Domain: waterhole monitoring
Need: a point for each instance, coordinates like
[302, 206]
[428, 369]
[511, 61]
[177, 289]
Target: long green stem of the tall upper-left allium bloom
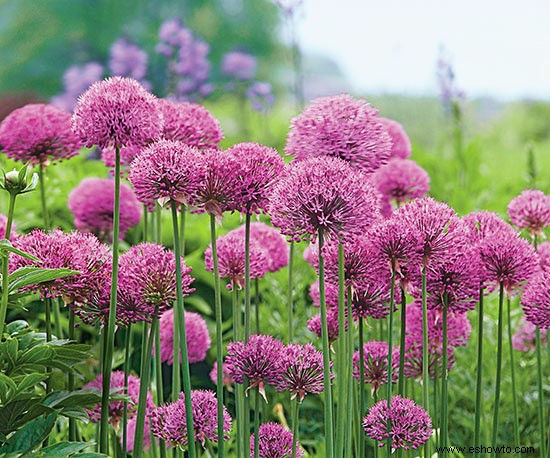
[110, 339]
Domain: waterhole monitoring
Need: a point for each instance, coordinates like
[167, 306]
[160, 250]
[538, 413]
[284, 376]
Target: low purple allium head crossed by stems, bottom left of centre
[168, 421]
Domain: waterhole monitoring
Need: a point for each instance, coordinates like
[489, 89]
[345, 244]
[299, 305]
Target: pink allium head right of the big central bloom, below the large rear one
[401, 180]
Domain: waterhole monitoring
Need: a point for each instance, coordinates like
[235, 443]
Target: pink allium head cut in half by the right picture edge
[536, 300]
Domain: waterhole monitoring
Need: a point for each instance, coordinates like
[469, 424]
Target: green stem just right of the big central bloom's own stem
[341, 366]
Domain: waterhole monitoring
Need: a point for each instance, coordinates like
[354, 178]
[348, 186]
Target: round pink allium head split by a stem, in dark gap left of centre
[197, 337]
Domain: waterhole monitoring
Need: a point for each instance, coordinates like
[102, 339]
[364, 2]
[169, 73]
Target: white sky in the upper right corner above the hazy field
[498, 48]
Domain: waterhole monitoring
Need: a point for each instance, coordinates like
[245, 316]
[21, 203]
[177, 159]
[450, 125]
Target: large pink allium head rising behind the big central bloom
[340, 126]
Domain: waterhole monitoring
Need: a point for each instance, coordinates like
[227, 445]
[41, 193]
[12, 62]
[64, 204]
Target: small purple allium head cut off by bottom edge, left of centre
[275, 441]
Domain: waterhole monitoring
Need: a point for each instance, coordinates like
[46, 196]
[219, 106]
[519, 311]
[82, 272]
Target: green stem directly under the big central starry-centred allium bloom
[328, 414]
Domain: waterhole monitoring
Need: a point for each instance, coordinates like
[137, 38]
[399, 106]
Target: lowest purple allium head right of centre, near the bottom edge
[410, 425]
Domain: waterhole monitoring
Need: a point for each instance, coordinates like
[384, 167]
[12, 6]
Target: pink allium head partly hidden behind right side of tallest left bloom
[190, 123]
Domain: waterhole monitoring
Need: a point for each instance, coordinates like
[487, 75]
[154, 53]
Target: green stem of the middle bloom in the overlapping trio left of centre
[219, 336]
